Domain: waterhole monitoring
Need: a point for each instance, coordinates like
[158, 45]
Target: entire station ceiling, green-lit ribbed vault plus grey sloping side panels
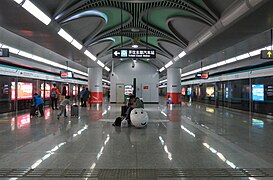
[168, 26]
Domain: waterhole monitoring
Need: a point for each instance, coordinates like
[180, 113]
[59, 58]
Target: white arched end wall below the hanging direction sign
[144, 74]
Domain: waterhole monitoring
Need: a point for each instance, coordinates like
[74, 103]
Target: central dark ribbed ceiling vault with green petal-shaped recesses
[134, 21]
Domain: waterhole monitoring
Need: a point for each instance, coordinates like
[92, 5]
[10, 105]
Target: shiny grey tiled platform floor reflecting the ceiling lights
[188, 141]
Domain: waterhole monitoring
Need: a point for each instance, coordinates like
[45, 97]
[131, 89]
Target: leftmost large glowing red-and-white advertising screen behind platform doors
[25, 90]
